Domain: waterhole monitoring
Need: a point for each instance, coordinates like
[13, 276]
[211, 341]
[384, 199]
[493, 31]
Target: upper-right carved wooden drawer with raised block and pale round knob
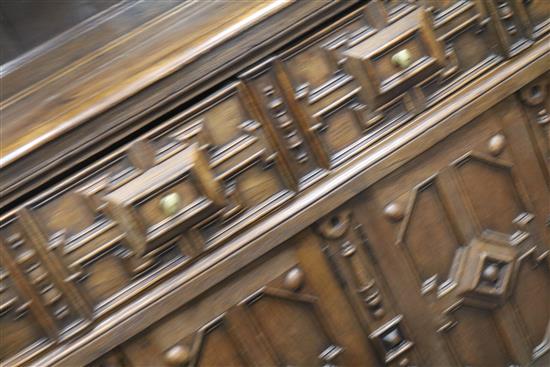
[347, 91]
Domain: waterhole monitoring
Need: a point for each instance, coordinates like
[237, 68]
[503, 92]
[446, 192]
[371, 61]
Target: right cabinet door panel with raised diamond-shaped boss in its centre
[465, 233]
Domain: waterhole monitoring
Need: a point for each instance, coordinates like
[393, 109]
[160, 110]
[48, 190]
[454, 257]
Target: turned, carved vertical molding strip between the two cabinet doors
[369, 294]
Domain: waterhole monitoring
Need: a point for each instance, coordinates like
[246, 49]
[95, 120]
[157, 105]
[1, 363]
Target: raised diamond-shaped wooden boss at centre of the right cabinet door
[487, 271]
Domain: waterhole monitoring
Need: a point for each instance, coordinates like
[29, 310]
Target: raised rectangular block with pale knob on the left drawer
[169, 197]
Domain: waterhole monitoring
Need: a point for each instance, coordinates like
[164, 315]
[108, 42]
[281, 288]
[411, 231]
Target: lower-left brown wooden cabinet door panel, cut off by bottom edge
[286, 309]
